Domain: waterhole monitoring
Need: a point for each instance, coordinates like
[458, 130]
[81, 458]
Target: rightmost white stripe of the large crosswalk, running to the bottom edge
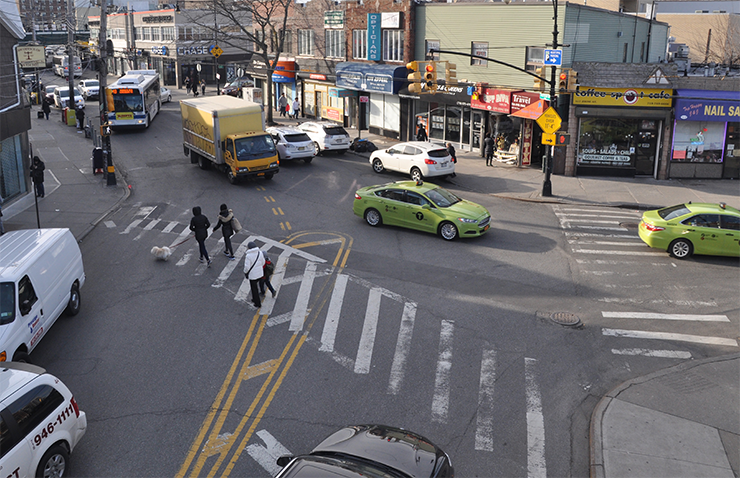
[536, 466]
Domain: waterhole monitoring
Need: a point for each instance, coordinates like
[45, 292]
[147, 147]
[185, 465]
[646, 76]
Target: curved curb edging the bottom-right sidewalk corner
[596, 450]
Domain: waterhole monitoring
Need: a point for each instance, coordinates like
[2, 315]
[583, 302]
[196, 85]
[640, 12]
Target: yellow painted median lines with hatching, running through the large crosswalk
[211, 442]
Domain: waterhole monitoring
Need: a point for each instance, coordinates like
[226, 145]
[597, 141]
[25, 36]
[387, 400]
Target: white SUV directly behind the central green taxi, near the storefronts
[418, 159]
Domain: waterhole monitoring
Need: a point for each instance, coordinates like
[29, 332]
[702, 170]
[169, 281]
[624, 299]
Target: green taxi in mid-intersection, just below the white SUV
[421, 206]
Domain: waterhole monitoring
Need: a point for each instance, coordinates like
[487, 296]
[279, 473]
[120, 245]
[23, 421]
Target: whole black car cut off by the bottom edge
[370, 451]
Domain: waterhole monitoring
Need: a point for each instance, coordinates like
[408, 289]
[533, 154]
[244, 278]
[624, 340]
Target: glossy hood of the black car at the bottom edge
[406, 451]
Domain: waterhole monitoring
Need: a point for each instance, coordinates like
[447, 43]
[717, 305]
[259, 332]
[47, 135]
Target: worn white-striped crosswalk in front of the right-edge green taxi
[605, 245]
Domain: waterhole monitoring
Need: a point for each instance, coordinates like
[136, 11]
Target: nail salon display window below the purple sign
[698, 141]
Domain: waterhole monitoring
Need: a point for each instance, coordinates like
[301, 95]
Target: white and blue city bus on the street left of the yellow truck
[133, 100]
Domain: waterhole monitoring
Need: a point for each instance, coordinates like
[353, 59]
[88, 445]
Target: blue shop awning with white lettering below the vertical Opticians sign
[371, 77]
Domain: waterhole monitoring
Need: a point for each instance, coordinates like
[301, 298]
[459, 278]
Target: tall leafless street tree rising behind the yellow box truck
[252, 26]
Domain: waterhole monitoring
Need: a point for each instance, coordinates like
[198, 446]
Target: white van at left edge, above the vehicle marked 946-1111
[41, 275]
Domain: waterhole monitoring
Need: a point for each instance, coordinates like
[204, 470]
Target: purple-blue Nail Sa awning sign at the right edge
[706, 105]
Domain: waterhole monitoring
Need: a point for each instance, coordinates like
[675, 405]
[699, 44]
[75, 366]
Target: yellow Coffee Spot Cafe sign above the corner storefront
[632, 97]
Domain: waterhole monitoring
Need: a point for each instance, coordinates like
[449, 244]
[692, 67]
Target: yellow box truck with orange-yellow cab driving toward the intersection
[228, 133]
